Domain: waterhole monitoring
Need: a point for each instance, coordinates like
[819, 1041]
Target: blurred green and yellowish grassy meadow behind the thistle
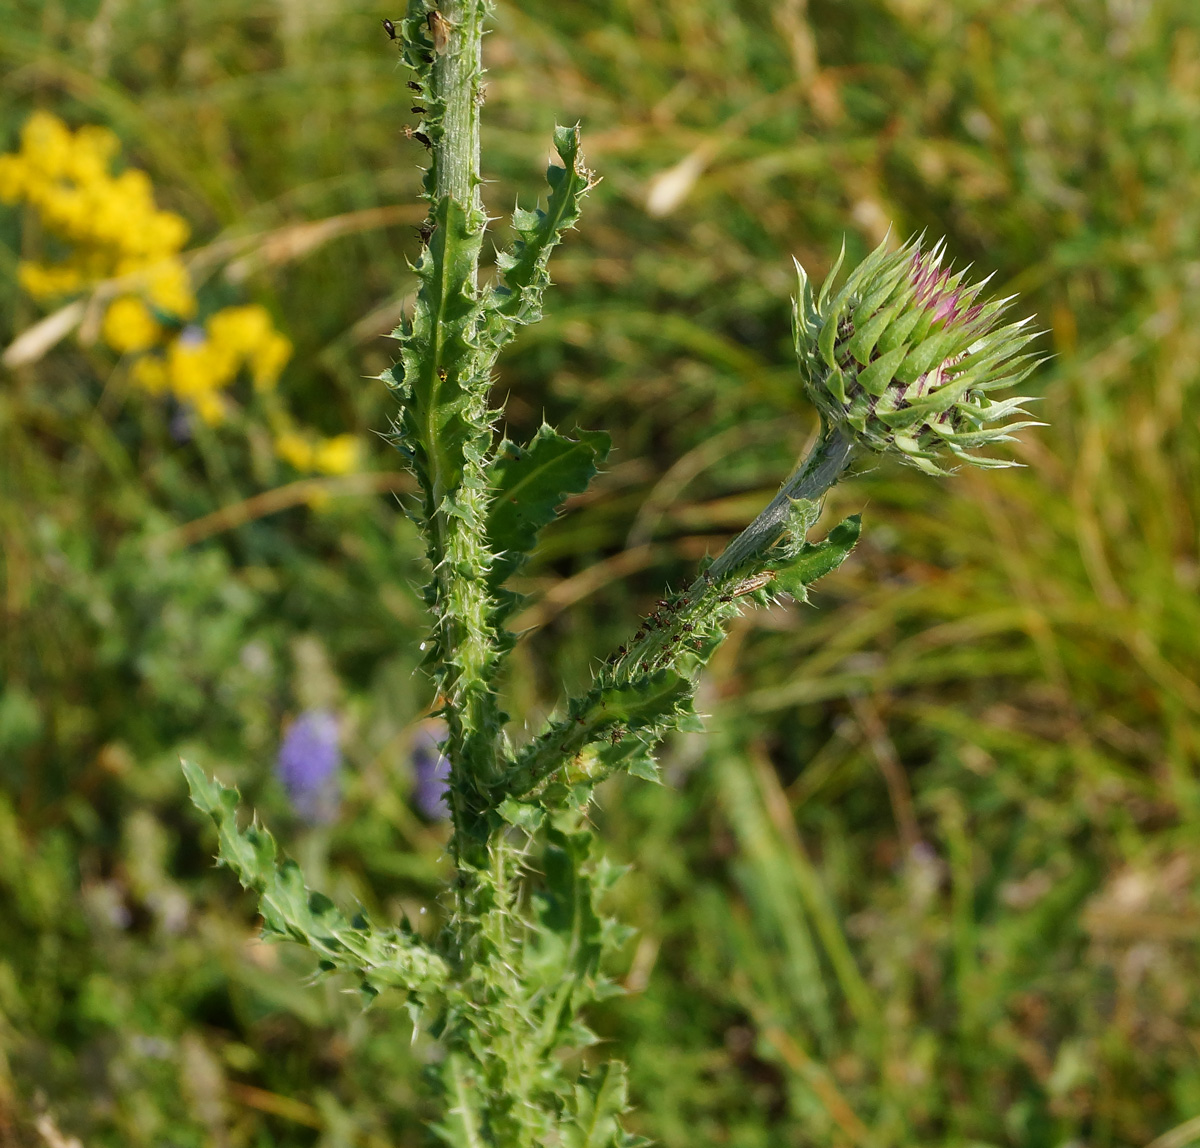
[933, 876]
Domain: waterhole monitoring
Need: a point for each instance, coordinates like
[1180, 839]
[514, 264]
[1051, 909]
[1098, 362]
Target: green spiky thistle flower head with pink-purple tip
[905, 357]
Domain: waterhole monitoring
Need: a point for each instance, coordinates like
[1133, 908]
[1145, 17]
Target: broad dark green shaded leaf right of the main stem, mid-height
[530, 484]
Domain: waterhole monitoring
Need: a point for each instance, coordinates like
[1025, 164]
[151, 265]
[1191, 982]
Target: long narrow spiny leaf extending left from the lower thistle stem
[382, 958]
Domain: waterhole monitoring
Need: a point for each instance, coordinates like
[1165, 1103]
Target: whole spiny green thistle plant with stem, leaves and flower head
[901, 359]
